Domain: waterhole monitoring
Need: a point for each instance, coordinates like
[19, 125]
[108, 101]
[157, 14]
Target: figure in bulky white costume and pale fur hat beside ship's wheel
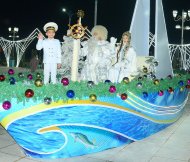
[98, 54]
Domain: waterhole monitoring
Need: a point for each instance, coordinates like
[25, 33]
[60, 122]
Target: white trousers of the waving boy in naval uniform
[50, 72]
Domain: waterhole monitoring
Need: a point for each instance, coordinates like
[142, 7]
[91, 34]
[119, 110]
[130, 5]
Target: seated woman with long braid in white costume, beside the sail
[125, 64]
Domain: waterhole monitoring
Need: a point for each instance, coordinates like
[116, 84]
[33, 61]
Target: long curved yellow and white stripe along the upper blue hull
[42, 107]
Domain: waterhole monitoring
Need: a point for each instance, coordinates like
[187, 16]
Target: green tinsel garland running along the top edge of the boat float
[81, 89]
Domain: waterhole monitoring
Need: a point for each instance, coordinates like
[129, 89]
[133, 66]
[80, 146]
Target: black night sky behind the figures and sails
[116, 15]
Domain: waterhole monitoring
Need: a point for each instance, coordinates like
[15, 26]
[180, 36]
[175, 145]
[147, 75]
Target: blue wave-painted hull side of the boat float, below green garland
[78, 127]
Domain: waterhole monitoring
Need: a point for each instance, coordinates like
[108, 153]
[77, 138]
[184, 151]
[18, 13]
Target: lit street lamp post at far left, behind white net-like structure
[13, 34]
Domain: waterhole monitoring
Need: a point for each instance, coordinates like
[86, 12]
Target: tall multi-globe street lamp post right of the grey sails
[185, 16]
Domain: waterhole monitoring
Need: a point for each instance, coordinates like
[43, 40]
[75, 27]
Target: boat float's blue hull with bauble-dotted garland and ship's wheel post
[73, 118]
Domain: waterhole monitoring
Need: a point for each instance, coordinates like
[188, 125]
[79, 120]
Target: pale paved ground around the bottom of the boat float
[170, 145]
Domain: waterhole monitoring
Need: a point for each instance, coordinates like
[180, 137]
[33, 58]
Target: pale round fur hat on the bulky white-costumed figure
[101, 32]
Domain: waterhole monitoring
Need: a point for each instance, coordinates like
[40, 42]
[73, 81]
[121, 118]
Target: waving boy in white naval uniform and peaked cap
[51, 52]
